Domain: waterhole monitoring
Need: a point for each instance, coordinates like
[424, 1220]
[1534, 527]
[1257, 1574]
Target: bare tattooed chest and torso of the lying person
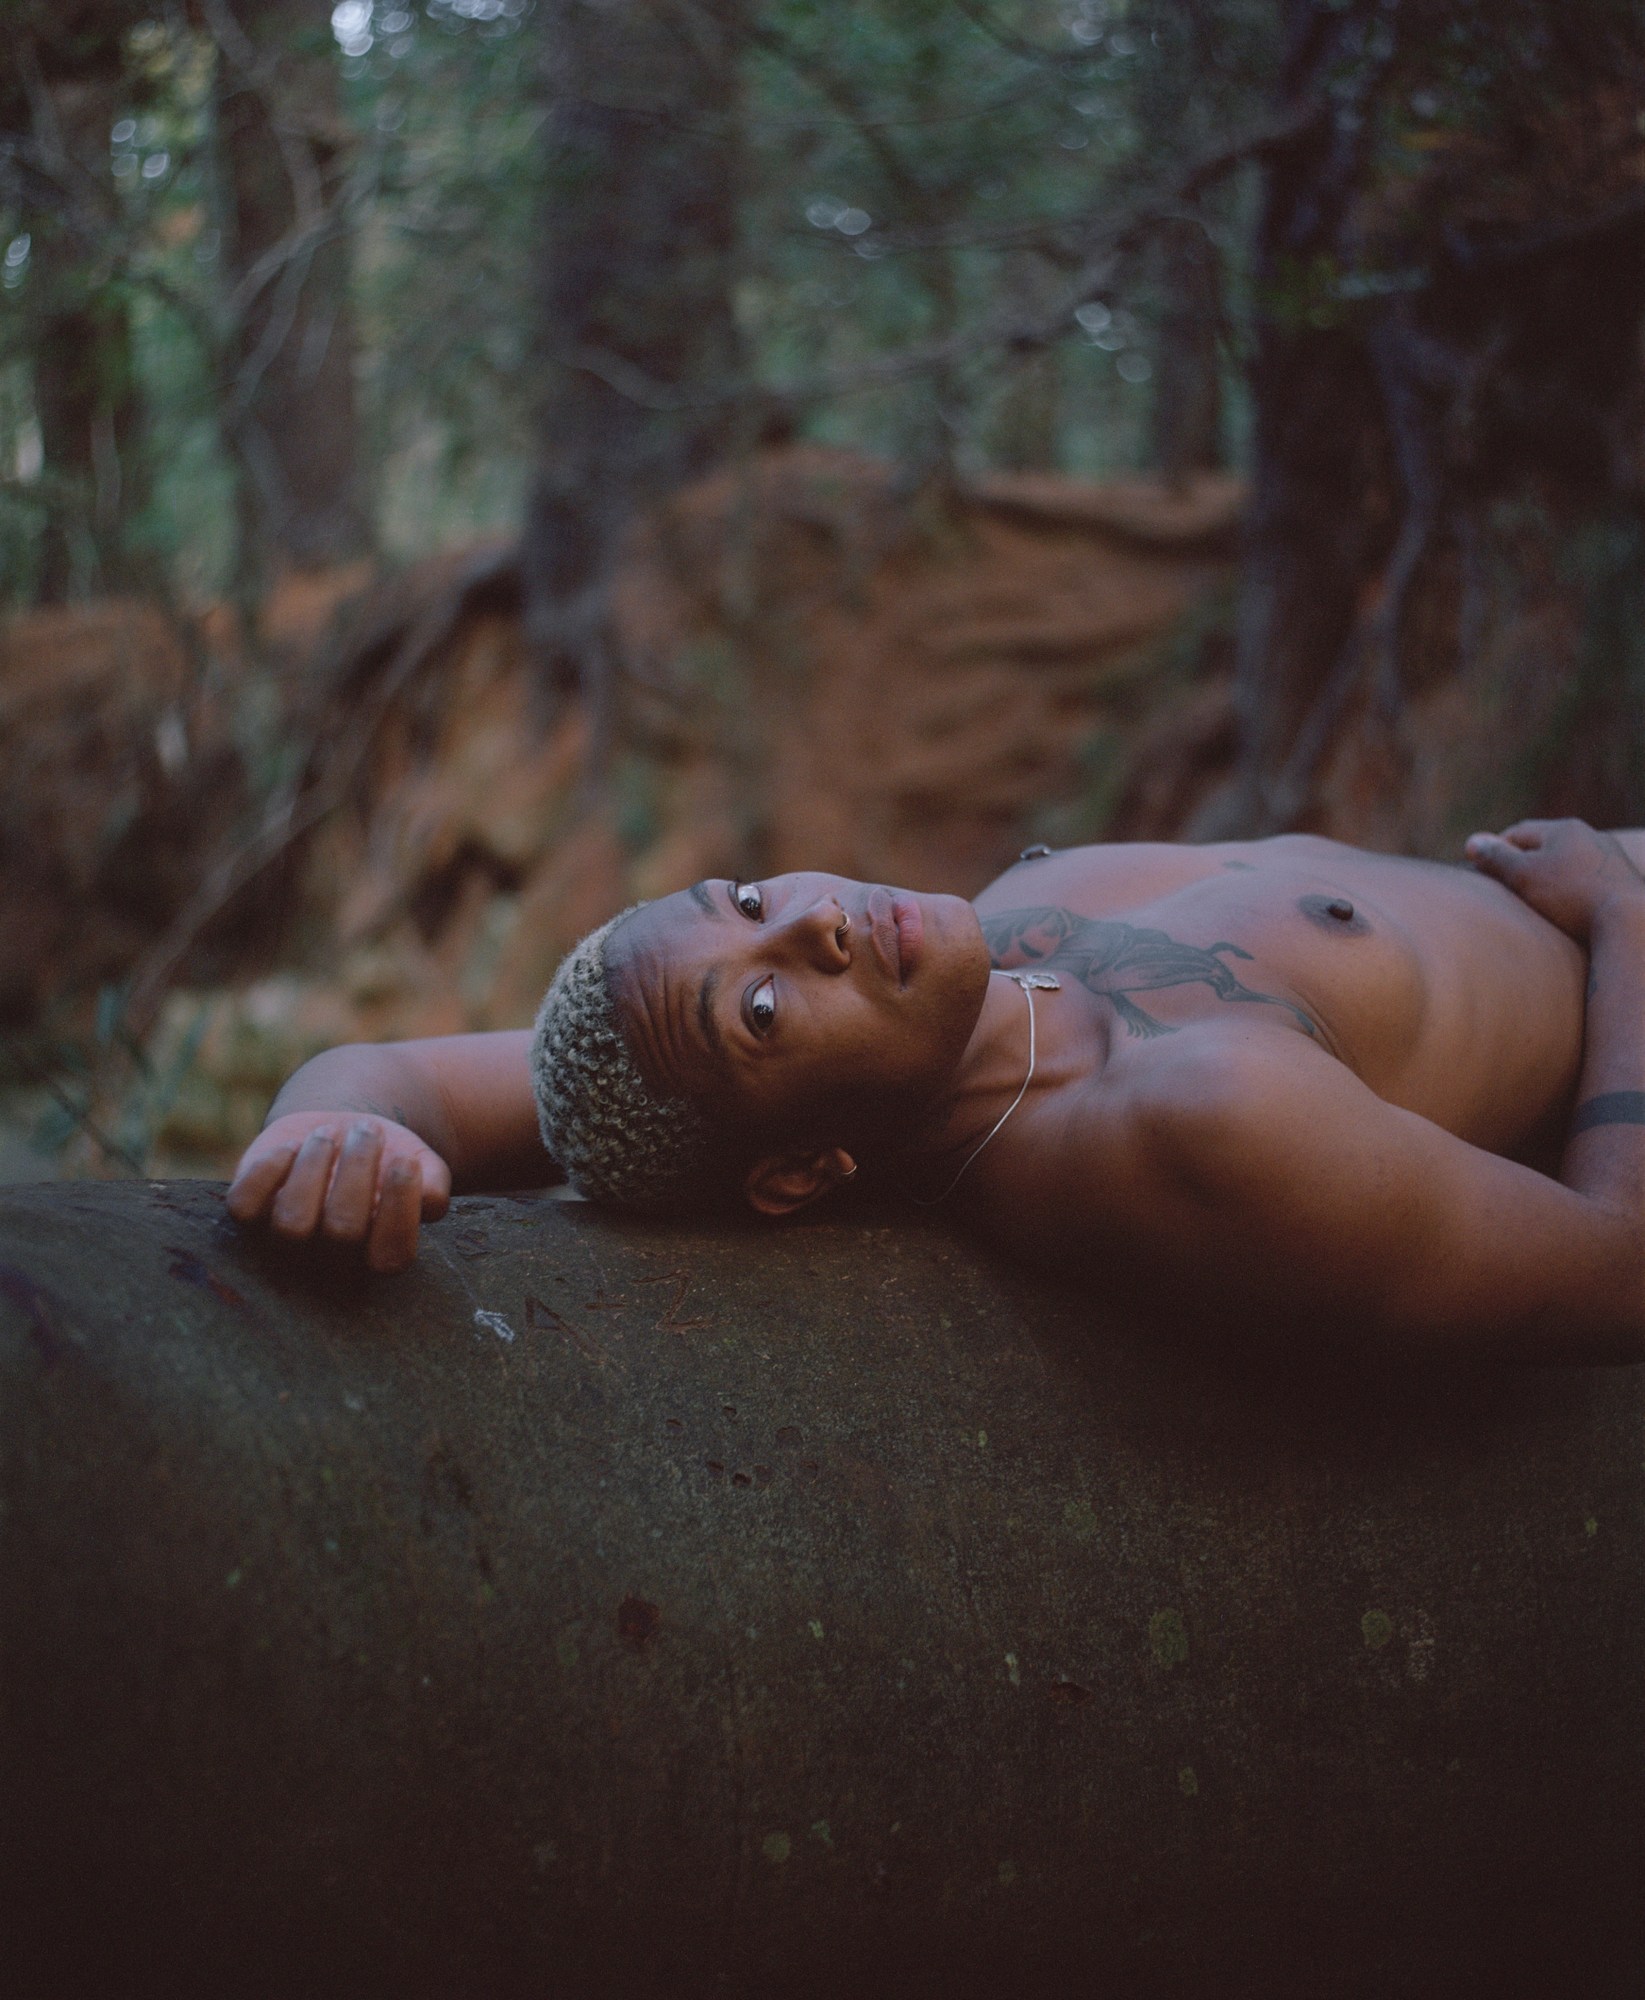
[1422, 979]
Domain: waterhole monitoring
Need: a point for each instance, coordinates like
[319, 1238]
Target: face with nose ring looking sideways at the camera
[803, 1001]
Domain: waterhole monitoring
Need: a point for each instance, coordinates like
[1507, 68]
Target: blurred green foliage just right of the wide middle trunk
[918, 169]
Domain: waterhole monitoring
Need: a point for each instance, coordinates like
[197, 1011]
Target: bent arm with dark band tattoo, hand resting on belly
[1258, 1173]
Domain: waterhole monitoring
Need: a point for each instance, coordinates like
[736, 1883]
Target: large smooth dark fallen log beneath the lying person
[649, 1611]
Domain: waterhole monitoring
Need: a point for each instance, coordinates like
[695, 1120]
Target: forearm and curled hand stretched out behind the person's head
[365, 1143]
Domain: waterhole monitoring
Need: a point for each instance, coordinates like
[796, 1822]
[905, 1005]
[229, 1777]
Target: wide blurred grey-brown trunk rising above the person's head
[637, 297]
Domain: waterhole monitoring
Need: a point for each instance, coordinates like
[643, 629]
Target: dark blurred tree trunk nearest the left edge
[65, 93]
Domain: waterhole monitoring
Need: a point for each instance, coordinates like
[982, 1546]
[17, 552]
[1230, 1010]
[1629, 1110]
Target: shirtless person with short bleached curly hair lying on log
[1286, 1077]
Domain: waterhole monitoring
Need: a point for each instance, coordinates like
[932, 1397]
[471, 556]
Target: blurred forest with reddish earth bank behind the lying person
[469, 463]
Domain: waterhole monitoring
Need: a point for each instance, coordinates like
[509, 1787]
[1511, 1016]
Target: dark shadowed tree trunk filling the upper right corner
[1450, 281]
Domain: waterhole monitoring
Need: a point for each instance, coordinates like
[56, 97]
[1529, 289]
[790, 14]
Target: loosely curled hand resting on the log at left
[349, 1177]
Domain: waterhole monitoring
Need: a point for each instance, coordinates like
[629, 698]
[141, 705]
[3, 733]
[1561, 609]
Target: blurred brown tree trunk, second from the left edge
[285, 151]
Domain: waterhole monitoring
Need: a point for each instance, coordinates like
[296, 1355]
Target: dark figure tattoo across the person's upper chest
[1120, 961]
